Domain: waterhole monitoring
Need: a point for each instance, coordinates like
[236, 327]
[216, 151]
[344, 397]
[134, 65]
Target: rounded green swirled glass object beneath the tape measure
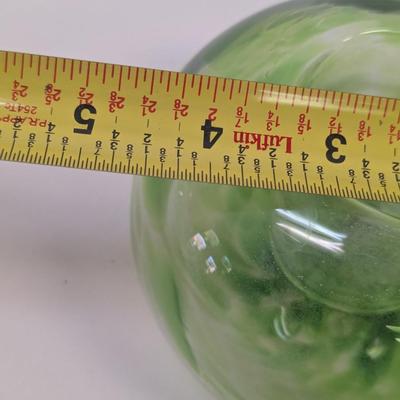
[272, 295]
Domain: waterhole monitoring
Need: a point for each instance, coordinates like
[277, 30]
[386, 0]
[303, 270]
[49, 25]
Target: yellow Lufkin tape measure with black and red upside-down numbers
[115, 118]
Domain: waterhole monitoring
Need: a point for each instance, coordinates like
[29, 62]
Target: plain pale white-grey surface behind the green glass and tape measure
[74, 322]
